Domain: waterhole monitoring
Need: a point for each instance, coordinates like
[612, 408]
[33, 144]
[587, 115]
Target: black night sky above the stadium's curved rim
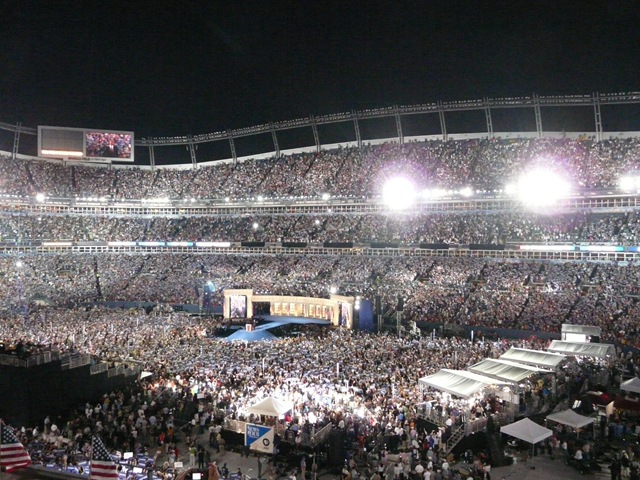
[167, 68]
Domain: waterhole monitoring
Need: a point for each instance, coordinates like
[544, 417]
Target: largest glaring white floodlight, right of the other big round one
[542, 187]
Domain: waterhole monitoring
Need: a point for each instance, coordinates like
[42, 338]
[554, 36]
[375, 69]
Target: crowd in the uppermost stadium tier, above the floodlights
[479, 164]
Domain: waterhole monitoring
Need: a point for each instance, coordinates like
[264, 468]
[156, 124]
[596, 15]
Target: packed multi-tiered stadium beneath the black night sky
[453, 246]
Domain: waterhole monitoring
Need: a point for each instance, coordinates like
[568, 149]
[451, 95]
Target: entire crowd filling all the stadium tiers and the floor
[45, 296]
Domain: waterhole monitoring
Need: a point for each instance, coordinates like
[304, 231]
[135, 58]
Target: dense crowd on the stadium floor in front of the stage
[363, 384]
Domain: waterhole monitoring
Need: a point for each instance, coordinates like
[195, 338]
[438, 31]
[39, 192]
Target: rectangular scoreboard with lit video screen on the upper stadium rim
[85, 144]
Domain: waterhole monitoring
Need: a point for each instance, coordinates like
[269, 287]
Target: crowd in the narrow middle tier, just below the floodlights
[452, 228]
